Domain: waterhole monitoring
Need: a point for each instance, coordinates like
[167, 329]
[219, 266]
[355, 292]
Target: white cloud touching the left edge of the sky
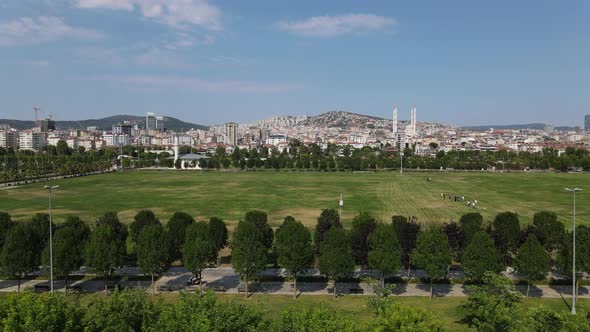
[34, 30]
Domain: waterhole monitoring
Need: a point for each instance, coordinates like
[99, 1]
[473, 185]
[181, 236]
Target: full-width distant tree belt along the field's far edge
[62, 160]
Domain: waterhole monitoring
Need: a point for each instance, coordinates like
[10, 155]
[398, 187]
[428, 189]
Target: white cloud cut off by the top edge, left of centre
[175, 13]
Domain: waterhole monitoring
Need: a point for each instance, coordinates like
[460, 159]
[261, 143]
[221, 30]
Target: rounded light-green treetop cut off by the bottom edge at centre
[317, 319]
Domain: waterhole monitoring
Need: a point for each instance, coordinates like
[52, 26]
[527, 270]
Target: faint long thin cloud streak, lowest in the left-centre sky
[198, 85]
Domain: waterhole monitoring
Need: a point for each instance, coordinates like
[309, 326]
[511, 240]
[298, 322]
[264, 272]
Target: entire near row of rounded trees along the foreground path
[387, 248]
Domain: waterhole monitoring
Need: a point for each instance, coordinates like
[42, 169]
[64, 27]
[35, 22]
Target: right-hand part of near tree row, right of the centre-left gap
[478, 248]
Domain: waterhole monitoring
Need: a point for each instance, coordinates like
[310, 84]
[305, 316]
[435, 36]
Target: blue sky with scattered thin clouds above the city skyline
[460, 62]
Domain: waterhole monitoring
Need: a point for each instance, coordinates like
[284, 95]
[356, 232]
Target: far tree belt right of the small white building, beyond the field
[347, 158]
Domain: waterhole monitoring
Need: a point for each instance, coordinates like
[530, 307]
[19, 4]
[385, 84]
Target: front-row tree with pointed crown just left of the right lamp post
[532, 261]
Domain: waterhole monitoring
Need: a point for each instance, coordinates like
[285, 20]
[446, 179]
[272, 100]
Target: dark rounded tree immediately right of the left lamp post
[68, 253]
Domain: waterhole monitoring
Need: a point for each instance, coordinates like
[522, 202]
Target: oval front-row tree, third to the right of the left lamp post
[152, 254]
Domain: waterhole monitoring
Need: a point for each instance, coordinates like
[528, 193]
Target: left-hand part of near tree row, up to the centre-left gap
[104, 247]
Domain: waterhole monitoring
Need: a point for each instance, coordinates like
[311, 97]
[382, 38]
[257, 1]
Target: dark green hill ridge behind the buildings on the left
[108, 122]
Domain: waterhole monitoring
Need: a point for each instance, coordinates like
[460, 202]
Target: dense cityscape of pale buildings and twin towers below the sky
[338, 128]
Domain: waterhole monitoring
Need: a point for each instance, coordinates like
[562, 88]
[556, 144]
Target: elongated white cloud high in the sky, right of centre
[328, 26]
